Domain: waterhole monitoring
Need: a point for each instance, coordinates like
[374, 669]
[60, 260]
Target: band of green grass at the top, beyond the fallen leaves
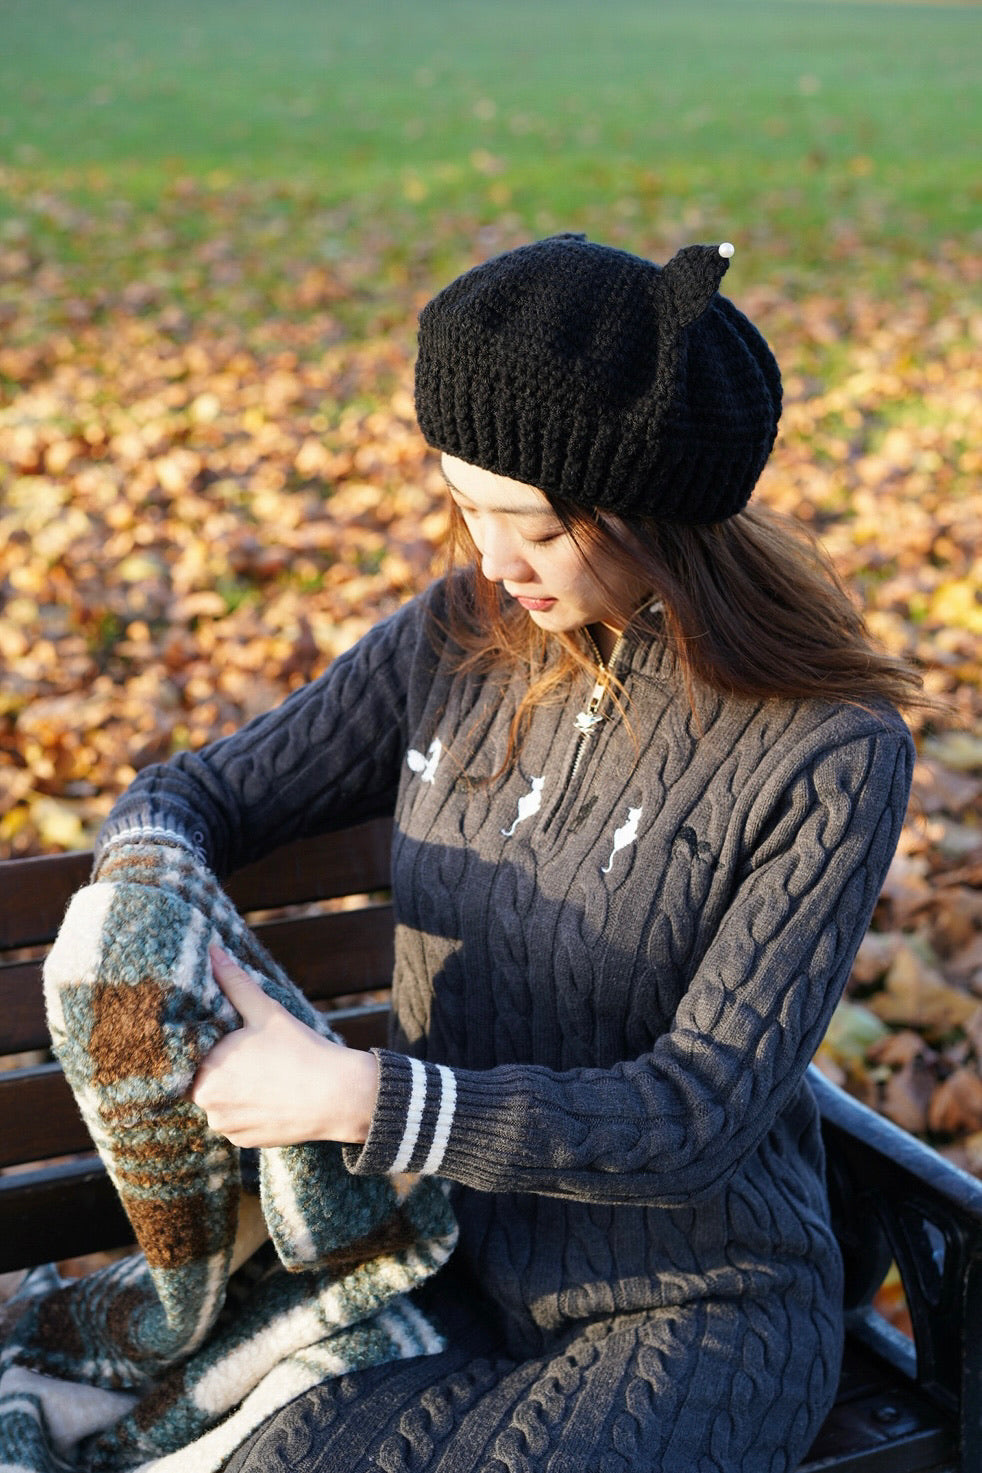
[802, 129]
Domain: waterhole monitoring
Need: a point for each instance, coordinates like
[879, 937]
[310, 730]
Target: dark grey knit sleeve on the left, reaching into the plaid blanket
[329, 756]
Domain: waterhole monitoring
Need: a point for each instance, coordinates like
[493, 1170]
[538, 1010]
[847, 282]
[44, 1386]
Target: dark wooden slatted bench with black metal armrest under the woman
[903, 1407]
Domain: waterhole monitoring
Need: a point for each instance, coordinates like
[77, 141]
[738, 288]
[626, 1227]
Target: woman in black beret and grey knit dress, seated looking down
[647, 777]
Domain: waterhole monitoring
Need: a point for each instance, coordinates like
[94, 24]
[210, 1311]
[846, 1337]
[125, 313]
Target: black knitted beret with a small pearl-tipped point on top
[603, 379]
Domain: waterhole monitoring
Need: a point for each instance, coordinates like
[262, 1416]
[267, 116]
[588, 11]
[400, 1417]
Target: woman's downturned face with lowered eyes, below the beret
[525, 547]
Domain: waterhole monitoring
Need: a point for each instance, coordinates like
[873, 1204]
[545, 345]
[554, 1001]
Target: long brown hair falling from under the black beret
[750, 608]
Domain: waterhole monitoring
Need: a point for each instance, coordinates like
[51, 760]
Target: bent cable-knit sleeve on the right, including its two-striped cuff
[677, 1123]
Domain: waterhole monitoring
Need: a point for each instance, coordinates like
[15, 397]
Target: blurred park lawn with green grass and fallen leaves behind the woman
[219, 222]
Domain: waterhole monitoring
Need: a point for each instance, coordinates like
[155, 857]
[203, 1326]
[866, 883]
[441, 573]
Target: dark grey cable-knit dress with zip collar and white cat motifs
[613, 967]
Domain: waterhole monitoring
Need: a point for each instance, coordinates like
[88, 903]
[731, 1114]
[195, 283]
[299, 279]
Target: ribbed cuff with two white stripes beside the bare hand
[413, 1120]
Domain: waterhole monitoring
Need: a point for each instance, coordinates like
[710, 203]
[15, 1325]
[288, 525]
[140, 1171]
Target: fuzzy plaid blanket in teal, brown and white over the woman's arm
[170, 1357]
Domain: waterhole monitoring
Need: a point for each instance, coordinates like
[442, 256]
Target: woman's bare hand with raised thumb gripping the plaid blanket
[278, 1083]
